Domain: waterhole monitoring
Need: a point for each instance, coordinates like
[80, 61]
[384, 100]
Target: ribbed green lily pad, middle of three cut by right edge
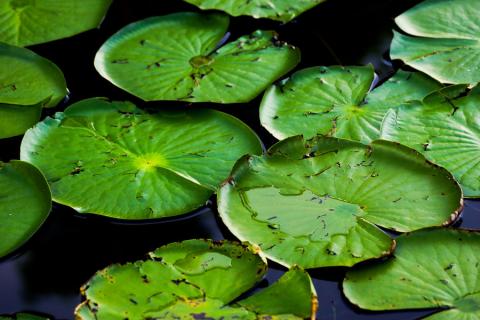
[444, 127]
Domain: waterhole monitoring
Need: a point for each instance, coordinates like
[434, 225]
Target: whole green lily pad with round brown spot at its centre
[175, 57]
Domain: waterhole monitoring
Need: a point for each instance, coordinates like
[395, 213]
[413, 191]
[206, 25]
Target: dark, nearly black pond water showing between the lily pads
[45, 275]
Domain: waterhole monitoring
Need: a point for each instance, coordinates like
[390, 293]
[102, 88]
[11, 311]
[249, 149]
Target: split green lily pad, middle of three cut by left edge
[28, 82]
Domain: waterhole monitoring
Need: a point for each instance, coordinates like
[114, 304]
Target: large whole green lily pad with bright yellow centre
[113, 159]
